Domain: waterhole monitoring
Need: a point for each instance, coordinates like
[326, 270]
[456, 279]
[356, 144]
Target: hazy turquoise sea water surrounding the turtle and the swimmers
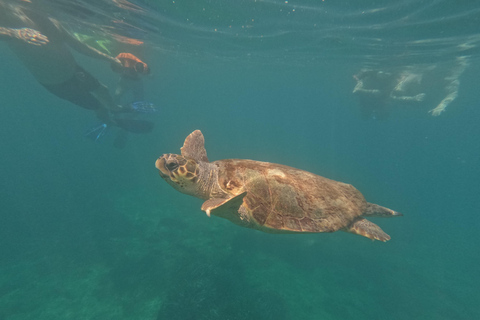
[89, 231]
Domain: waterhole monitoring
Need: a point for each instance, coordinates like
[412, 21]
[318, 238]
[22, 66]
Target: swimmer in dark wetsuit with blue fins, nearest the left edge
[40, 43]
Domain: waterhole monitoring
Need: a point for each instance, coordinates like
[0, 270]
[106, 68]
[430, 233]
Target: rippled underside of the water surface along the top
[367, 31]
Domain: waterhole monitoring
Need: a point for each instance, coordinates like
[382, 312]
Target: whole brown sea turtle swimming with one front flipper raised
[269, 197]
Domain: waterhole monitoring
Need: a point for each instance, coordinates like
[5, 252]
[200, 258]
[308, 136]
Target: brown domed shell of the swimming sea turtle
[284, 199]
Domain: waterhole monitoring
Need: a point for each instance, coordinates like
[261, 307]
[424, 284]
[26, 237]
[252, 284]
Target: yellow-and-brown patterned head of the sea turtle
[180, 172]
